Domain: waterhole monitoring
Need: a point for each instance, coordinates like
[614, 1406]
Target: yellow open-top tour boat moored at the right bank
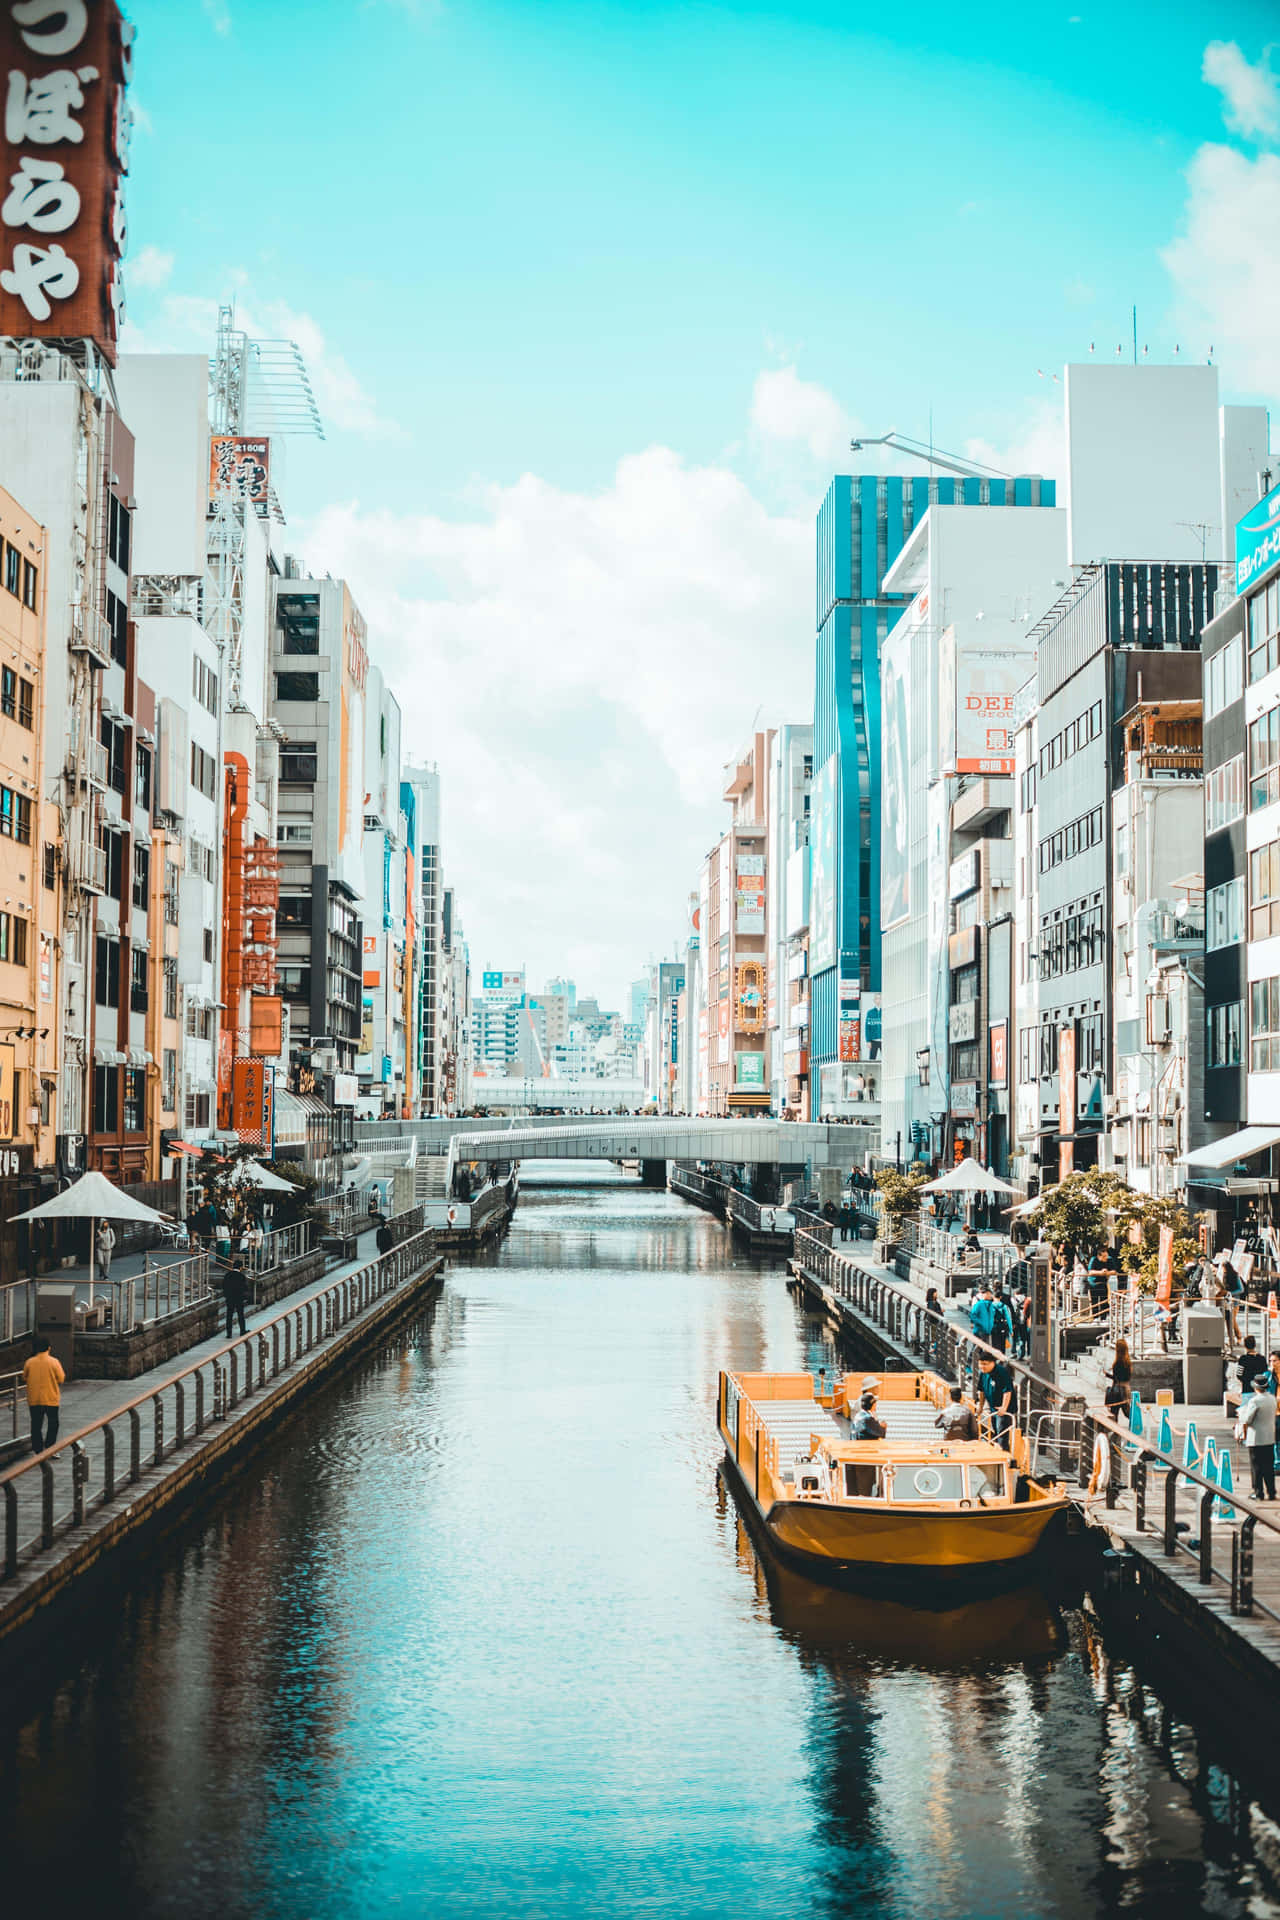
[909, 1508]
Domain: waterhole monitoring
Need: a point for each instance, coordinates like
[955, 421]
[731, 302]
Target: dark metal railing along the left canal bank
[112, 1454]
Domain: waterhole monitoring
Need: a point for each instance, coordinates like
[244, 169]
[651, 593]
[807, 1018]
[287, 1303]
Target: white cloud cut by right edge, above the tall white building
[1227, 270]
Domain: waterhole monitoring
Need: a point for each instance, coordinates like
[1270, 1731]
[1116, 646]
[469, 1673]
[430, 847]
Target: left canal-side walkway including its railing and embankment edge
[154, 1439]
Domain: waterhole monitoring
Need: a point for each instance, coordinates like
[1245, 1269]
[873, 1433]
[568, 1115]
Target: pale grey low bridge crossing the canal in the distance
[738, 1141]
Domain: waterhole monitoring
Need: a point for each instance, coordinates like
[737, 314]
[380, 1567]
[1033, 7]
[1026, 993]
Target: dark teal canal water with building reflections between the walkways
[483, 1635]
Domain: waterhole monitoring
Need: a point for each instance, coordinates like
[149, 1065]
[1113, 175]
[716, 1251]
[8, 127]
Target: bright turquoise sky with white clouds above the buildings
[525, 247]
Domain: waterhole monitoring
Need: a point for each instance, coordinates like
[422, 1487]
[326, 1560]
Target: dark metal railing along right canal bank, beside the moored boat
[1074, 1426]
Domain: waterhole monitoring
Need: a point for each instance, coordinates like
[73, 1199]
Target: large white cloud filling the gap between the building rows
[582, 665]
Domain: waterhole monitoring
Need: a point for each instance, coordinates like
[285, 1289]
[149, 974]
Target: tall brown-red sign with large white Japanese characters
[66, 151]
